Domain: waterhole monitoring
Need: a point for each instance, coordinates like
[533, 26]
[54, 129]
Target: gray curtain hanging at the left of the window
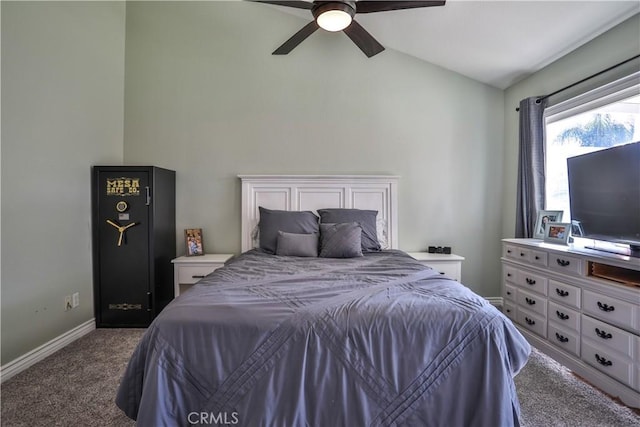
[531, 191]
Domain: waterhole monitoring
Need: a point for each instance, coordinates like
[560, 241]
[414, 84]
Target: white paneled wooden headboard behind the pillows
[312, 192]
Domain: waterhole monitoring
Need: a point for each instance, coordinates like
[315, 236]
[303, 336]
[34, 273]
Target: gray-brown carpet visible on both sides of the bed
[76, 387]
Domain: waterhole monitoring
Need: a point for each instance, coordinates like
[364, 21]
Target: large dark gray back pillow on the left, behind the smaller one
[272, 221]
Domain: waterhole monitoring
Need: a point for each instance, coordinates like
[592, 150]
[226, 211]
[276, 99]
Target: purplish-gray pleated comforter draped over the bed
[286, 341]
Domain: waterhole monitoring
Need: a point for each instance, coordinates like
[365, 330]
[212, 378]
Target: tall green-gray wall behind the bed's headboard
[205, 97]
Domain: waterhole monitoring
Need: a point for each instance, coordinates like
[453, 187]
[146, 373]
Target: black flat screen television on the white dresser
[604, 193]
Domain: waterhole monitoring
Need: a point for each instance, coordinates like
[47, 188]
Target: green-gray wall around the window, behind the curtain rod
[617, 45]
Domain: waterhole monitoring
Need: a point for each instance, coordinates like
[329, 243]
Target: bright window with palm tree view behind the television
[602, 118]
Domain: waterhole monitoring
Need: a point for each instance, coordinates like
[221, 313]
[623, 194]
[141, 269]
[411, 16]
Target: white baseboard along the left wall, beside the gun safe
[36, 355]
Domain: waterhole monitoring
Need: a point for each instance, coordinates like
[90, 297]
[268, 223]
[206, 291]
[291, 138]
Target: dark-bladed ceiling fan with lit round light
[337, 15]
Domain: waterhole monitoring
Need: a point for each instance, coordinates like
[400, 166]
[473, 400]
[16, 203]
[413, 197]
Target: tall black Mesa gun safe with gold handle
[134, 241]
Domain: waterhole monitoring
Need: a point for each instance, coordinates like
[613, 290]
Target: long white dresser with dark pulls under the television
[579, 306]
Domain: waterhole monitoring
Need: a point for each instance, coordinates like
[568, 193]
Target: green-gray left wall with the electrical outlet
[62, 111]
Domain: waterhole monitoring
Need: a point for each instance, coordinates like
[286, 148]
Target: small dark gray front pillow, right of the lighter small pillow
[340, 240]
